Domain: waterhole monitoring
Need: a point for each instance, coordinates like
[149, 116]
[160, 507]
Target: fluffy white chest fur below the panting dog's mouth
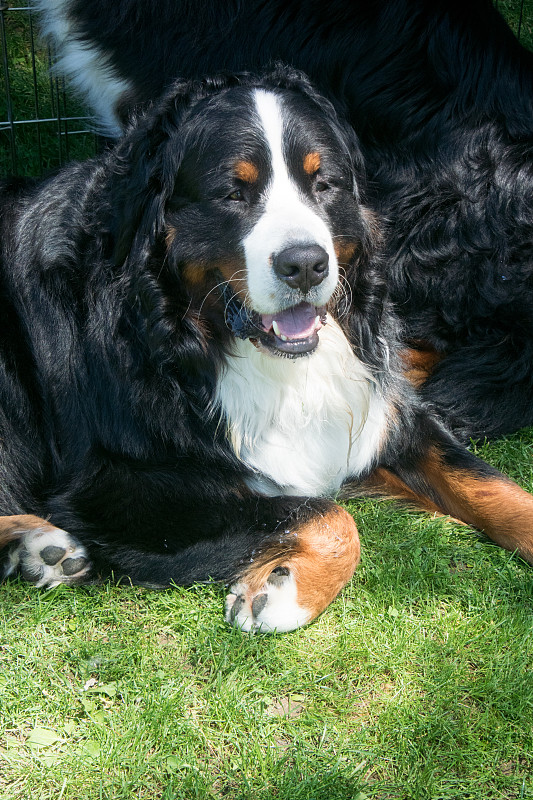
[302, 425]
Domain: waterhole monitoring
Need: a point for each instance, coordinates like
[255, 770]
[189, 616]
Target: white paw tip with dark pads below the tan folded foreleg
[274, 607]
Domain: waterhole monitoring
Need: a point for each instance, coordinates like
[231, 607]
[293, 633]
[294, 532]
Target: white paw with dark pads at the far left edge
[49, 556]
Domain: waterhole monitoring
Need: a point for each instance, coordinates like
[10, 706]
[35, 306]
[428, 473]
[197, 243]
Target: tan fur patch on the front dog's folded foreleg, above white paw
[322, 555]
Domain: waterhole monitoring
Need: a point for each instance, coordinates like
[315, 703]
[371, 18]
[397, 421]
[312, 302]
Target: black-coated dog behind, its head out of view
[440, 94]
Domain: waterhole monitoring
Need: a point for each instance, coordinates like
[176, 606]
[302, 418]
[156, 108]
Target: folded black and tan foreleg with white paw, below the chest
[284, 558]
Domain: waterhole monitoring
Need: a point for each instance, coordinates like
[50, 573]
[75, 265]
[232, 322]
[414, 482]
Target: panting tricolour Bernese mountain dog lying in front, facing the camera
[198, 354]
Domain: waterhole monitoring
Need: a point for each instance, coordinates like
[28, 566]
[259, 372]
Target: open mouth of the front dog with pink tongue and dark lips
[292, 332]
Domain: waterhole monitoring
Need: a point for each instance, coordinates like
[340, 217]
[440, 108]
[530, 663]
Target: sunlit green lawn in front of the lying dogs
[415, 684]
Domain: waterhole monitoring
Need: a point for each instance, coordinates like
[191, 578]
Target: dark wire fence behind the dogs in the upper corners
[42, 125]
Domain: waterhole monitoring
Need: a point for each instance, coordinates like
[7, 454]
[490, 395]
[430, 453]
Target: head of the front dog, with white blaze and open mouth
[252, 186]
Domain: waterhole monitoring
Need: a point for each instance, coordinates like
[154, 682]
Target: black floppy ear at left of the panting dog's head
[145, 164]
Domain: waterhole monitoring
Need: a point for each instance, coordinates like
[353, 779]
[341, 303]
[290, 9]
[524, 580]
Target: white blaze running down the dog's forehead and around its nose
[287, 219]
